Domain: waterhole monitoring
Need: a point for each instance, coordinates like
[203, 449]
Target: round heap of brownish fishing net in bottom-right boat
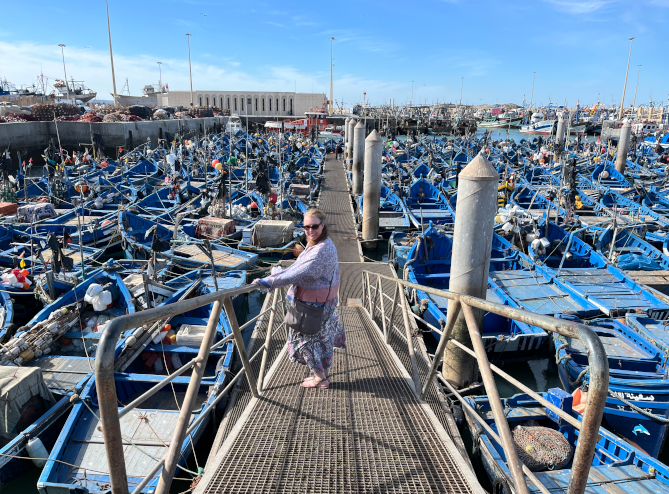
[541, 448]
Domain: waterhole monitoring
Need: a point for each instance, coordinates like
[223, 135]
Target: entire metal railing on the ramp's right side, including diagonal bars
[375, 303]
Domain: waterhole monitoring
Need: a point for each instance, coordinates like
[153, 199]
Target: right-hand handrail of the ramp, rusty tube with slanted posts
[599, 370]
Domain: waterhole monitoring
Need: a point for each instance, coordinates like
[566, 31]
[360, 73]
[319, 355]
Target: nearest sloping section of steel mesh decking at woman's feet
[367, 433]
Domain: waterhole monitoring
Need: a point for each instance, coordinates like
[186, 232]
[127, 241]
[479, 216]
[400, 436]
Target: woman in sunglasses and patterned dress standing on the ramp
[314, 279]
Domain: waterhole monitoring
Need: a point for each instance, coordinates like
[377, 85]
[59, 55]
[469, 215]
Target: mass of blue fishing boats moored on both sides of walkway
[91, 239]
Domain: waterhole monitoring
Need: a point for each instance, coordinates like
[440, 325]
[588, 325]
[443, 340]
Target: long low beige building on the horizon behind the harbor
[248, 102]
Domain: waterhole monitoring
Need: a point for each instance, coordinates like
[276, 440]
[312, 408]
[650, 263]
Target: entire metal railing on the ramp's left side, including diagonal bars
[106, 388]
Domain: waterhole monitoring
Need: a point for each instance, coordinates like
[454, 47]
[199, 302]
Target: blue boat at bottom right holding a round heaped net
[617, 466]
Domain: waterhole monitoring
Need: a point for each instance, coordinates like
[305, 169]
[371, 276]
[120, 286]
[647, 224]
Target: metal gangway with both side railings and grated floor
[380, 427]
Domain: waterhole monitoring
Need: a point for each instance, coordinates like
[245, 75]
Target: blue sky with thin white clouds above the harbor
[578, 49]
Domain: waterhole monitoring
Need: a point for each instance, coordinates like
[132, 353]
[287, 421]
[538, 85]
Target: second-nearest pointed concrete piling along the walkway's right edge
[372, 190]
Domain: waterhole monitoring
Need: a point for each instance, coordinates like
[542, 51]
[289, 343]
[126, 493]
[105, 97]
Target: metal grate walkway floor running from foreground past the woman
[367, 433]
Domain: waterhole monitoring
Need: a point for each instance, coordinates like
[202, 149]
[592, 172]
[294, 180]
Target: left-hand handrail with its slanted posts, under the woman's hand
[106, 386]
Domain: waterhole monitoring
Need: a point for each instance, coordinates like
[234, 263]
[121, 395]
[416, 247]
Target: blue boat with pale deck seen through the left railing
[79, 452]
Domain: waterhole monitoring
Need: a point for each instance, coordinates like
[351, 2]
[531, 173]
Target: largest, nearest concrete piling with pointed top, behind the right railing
[470, 259]
